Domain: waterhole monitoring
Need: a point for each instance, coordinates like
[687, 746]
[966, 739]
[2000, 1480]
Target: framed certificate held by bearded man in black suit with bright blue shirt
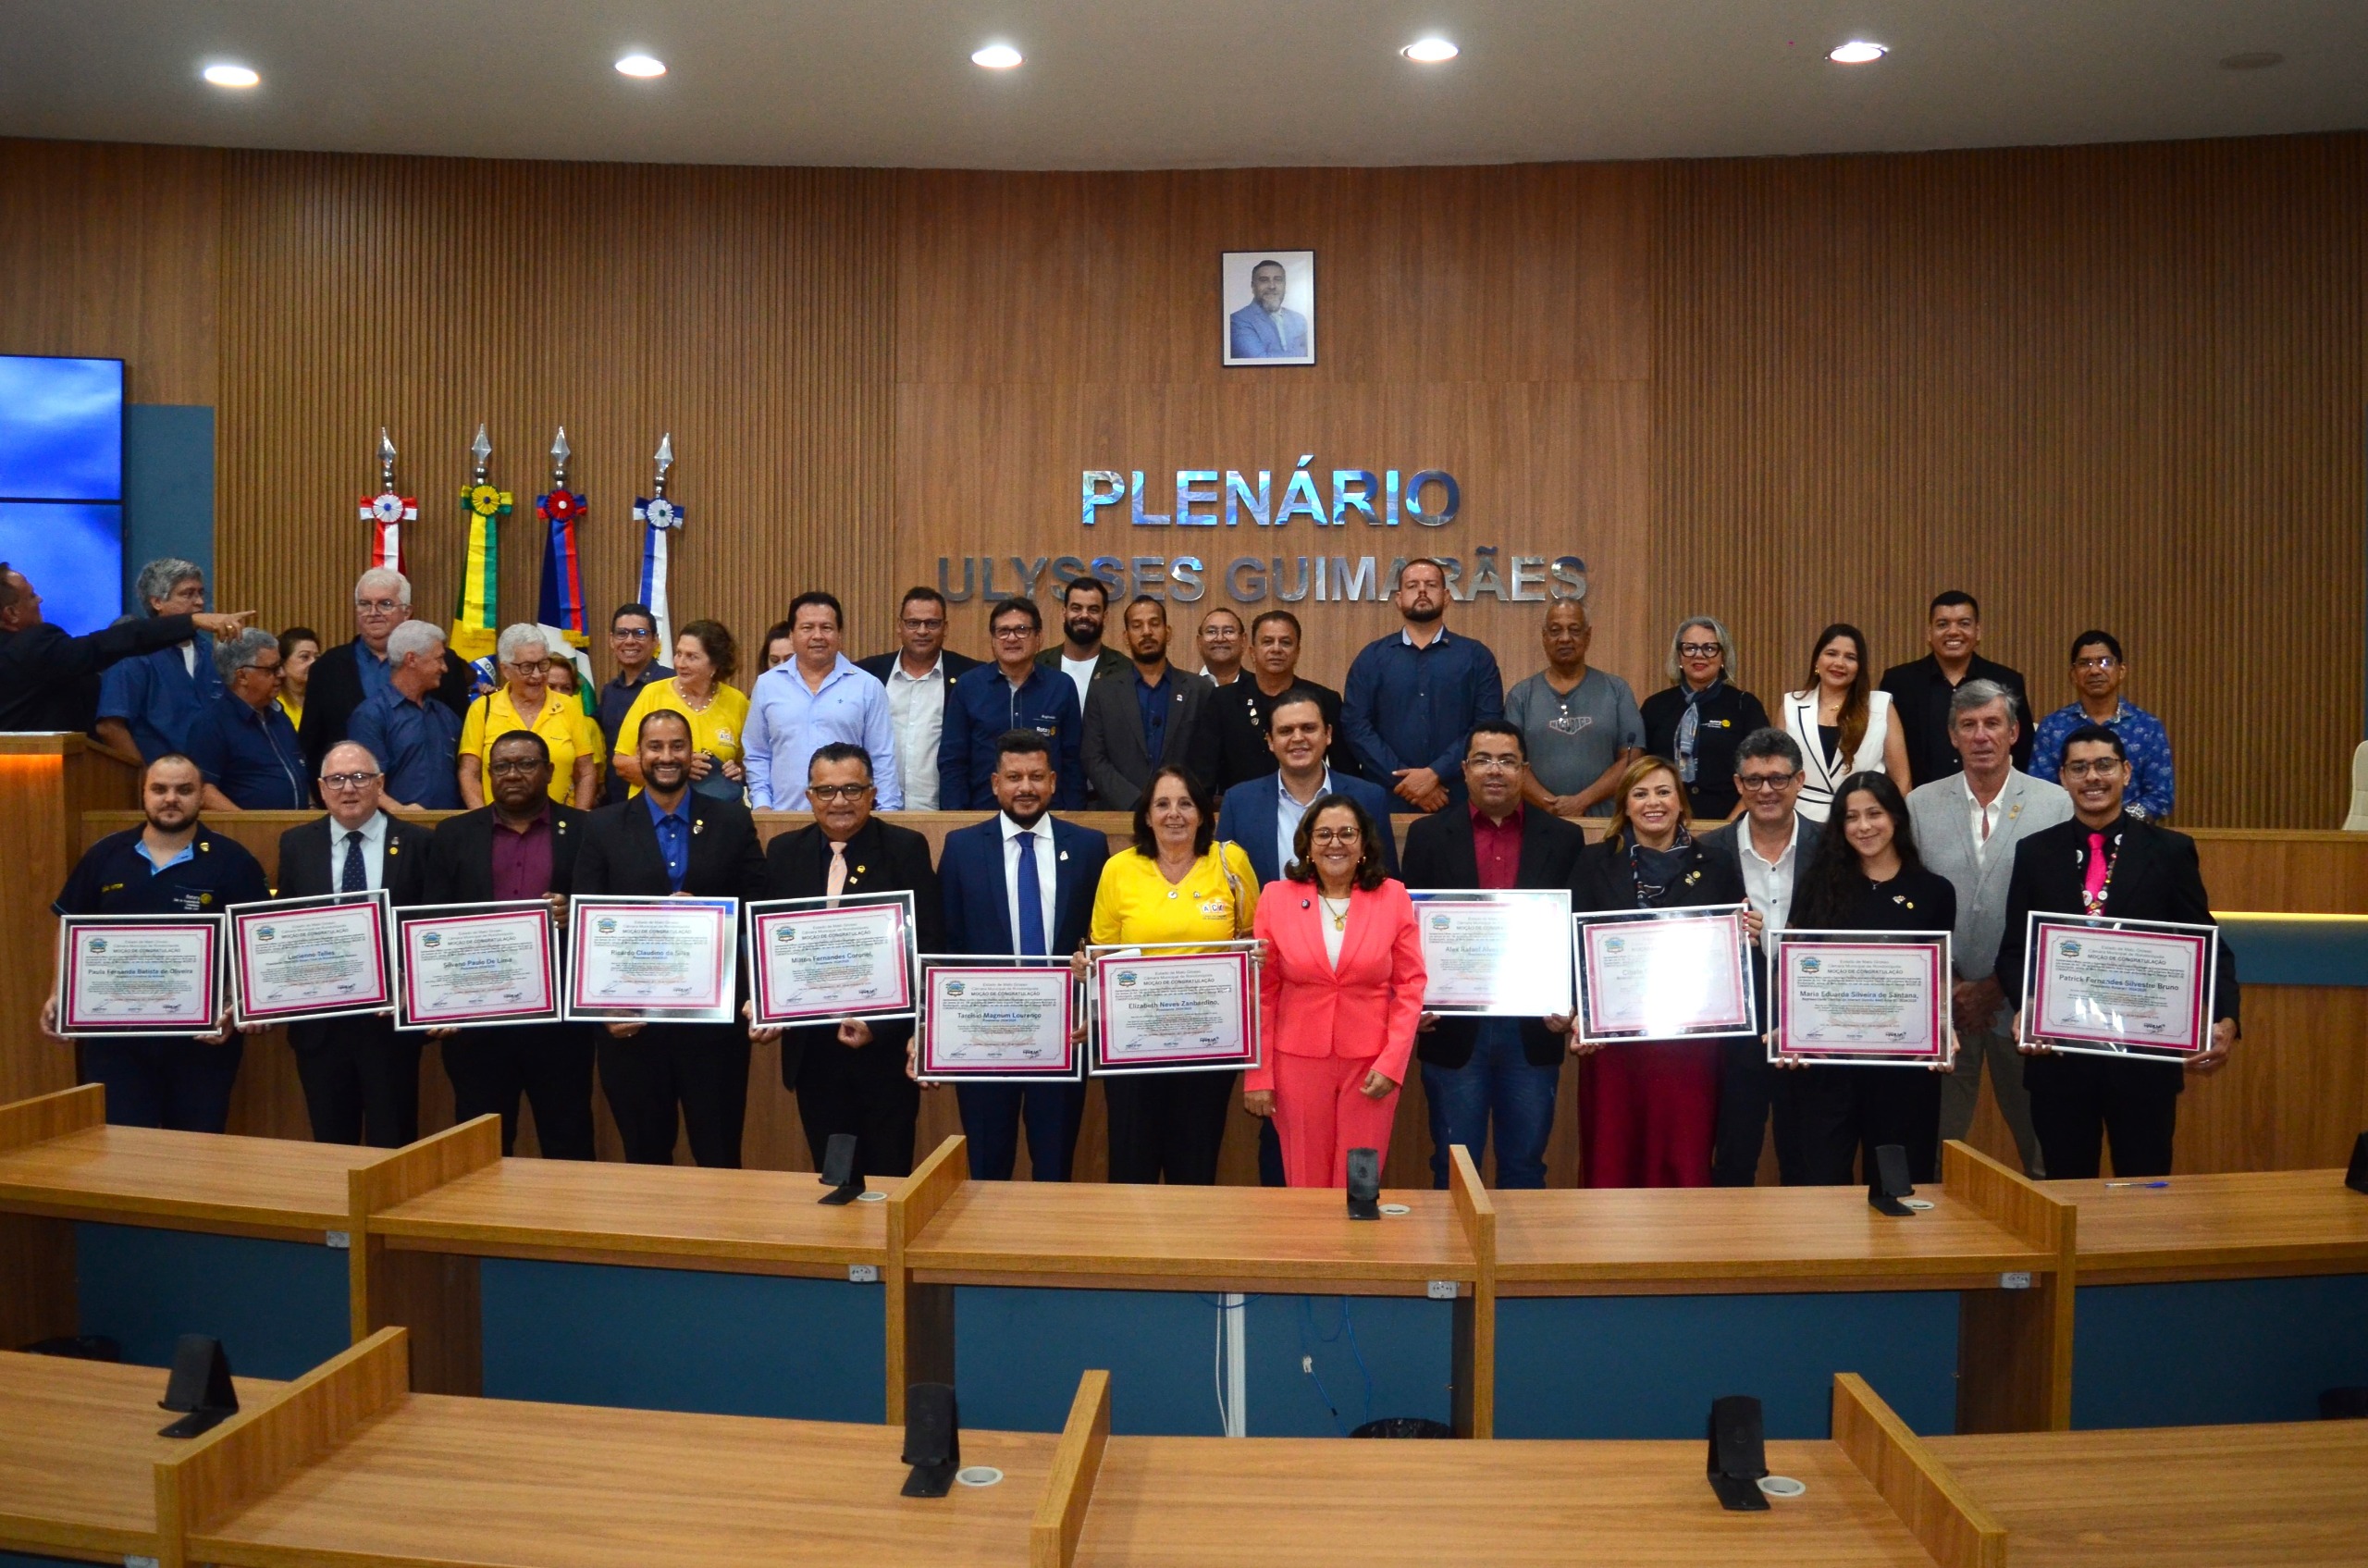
[659, 960]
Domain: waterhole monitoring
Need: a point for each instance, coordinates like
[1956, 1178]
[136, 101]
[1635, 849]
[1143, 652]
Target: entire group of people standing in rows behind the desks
[1261, 814]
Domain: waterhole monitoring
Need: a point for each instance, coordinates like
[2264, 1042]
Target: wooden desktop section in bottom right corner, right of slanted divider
[2291, 1496]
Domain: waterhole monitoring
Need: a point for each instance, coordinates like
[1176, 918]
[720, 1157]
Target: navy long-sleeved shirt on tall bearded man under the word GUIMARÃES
[1410, 707]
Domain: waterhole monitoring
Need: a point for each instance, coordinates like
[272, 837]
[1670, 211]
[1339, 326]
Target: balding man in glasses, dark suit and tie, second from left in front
[361, 1079]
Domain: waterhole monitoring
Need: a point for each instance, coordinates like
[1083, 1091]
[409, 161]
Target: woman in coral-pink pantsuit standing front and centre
[1339, 996]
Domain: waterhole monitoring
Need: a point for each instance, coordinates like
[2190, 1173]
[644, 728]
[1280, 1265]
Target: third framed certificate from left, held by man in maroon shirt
[477, 965]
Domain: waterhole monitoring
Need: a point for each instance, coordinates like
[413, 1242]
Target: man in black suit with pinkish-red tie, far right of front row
[2109, 863]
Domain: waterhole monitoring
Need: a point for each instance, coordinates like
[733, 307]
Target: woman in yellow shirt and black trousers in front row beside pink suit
[1173, 887]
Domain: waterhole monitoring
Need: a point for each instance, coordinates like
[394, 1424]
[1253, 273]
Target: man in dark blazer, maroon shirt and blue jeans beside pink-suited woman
[1481, 1069]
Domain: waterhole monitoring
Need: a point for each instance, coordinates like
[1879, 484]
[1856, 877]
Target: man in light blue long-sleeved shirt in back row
[802, 707]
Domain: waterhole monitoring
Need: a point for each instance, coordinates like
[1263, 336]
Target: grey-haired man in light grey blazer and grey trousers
[1967, 830]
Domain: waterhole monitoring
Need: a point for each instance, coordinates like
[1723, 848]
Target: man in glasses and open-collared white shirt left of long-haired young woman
[1770, 844]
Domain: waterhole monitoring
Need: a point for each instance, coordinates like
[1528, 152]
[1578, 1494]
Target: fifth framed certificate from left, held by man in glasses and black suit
[811, 963]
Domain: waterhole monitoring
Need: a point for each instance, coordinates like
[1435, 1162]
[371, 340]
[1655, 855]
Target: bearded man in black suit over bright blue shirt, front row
[664, 842]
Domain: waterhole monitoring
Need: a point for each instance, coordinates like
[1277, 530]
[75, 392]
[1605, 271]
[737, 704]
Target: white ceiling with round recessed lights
[1173, 84]
